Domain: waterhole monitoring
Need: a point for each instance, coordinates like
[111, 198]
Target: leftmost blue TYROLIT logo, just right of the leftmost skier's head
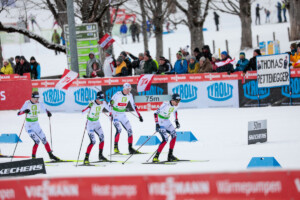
[54, 97]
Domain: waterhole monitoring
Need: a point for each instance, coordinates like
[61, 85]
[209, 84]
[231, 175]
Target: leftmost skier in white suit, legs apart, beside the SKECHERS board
[32, 108]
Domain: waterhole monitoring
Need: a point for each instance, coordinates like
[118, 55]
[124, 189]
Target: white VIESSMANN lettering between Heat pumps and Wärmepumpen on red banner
[170, 188]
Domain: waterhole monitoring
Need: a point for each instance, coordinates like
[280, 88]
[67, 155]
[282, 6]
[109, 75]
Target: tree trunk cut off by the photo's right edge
[294, 13]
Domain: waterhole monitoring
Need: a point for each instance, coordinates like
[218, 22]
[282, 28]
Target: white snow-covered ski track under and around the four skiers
[221, 134]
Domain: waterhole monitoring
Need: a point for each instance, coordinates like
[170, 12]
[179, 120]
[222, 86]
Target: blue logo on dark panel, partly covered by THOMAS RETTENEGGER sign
[251, 91]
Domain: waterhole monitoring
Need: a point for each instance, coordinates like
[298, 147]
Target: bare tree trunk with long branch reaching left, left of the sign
[241, 8]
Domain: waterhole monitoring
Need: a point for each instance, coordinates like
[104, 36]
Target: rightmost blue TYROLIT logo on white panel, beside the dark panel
[219, 91]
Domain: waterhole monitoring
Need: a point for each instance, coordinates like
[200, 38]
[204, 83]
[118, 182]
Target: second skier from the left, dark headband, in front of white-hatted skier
[93, 125]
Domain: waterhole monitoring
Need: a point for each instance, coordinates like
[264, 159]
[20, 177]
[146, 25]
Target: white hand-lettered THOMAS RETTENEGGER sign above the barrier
[273, 70]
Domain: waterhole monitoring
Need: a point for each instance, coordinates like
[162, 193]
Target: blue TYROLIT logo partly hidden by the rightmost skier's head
[187, 92]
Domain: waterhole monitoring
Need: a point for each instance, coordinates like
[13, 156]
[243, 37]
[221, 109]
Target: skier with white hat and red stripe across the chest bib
[119, 103]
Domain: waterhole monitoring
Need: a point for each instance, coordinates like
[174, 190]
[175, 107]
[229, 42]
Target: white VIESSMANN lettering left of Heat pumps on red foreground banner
[47, 190]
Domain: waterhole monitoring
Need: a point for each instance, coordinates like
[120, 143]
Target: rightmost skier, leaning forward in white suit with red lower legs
[164, 125]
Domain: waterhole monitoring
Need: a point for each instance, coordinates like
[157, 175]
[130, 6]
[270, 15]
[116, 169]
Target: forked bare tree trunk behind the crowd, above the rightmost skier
[195, 19]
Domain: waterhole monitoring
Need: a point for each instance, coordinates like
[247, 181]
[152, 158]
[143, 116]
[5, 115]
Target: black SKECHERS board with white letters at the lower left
[23, 168]
